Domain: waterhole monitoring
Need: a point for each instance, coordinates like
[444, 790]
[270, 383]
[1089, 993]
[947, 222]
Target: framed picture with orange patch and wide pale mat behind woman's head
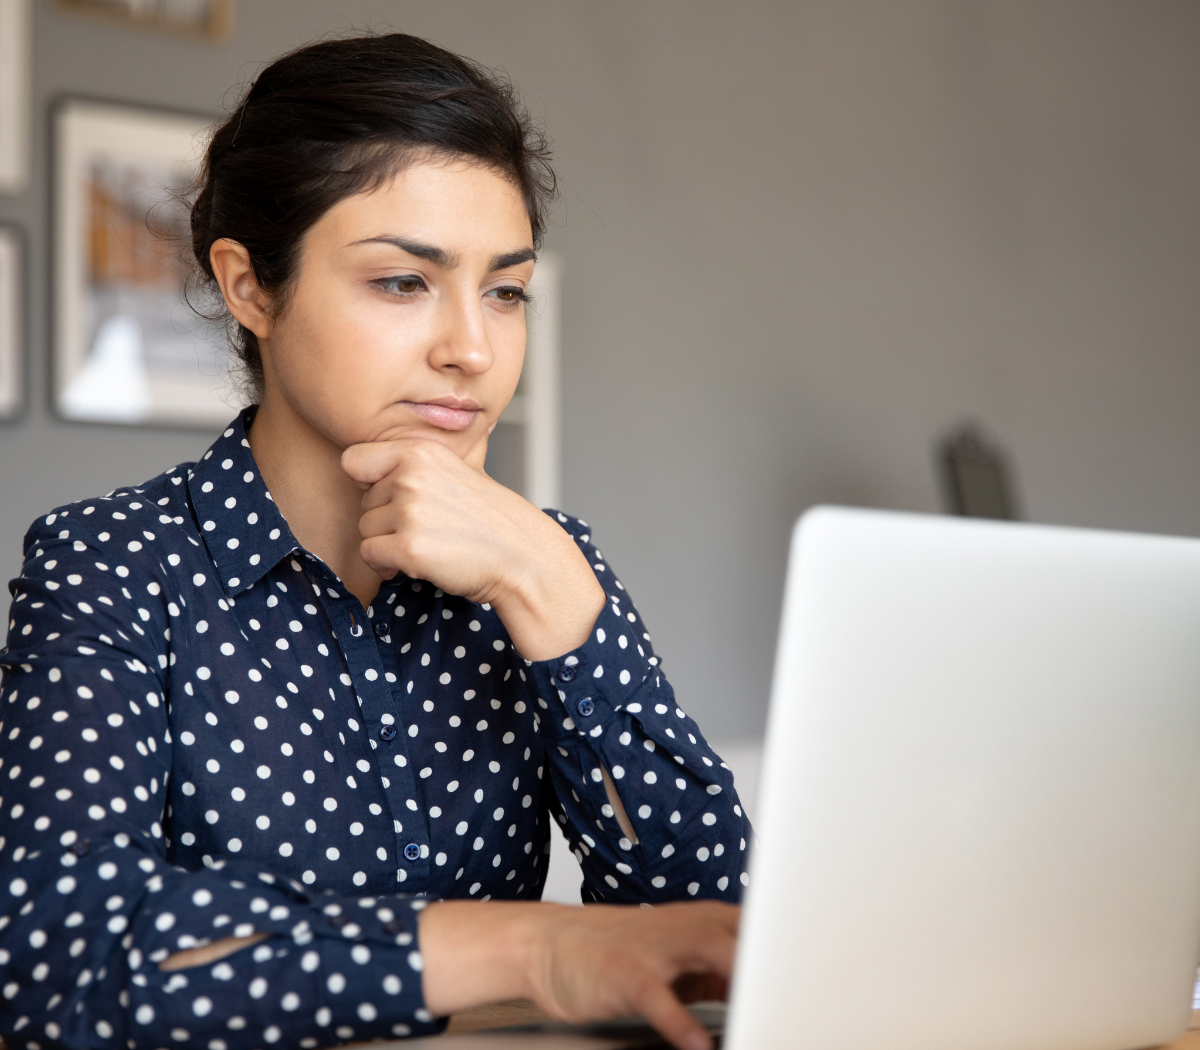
[128, 347]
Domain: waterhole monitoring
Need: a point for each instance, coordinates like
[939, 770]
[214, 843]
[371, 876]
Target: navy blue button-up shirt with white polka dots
[205, 735]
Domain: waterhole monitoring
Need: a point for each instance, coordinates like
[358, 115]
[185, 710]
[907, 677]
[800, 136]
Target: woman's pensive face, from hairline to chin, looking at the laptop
[407, 317]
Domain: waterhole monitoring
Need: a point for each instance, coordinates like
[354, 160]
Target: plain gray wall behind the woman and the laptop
[801, 241]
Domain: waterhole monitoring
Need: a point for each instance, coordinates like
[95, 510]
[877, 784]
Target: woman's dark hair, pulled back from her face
[339, 118]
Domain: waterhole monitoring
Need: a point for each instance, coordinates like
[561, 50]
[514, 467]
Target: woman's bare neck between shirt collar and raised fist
[303, 472]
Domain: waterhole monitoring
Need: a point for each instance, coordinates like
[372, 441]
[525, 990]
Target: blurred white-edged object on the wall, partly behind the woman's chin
[525, 451]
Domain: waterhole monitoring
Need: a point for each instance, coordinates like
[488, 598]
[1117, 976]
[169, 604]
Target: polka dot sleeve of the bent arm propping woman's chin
[609, 706]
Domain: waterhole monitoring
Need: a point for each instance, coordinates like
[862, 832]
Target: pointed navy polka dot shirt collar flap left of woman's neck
[244, 531]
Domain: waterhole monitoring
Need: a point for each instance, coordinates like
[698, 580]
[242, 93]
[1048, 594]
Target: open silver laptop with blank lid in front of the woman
[980, 819]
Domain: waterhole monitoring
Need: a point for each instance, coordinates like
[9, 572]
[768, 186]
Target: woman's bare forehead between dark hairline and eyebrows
[454, 205]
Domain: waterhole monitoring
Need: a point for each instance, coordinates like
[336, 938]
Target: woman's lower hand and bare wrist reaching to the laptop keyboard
[581, 964]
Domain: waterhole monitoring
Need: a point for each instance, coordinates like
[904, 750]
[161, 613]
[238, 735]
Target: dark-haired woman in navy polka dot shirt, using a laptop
[285, 728]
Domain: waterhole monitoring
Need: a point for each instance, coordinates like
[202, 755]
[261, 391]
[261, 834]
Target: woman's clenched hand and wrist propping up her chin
[435, 517]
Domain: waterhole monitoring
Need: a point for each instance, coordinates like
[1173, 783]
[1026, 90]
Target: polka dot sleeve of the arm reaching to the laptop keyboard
[89, 903]
